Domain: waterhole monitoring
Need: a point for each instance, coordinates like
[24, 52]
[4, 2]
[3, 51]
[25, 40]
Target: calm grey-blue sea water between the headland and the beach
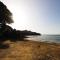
[46, 38]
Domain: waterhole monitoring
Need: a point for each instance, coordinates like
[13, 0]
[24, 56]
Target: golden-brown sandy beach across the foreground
[30, 50]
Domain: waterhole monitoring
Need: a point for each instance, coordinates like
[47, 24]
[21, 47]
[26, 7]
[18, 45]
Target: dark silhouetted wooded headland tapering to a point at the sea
[10, 33]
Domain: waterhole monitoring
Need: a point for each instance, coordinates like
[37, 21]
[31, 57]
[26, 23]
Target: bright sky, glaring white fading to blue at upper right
[41, 16]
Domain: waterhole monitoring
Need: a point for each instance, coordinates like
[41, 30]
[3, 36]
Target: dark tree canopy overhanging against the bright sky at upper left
[5, 14]
